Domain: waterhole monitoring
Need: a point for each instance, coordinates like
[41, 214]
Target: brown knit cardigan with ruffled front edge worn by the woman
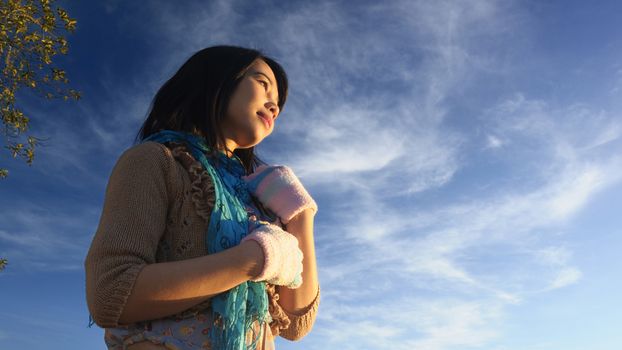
[156, 209]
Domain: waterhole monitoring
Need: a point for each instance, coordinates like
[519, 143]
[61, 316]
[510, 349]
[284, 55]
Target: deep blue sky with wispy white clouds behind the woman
[466, 160]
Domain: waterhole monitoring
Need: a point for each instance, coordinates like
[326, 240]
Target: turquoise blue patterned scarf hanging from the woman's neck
[234, 311]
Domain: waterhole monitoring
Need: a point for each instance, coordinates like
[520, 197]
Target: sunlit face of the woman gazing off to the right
[252, 108]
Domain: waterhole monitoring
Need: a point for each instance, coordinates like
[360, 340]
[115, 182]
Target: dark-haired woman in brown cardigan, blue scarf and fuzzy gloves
[200, 244]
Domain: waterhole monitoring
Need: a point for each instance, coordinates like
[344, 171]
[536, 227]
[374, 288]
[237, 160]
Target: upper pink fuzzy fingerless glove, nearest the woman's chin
[280, 190]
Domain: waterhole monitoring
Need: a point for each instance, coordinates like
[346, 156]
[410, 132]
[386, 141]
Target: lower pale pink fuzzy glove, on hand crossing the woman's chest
[282, 256]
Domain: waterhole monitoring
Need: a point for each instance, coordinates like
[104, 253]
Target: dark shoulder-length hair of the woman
[195, 99]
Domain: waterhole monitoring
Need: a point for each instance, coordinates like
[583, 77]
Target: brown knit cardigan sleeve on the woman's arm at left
[132, 222]
